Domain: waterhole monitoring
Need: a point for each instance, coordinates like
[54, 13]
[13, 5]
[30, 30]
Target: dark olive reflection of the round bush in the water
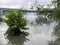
[16, 40]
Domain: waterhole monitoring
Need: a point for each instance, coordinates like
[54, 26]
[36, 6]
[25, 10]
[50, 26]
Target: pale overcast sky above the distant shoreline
[19, 3]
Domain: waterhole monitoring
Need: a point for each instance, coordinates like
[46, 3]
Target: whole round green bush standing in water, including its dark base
[15, 21]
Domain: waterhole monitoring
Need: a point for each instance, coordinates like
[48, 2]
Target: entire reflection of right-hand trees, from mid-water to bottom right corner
[47, 19]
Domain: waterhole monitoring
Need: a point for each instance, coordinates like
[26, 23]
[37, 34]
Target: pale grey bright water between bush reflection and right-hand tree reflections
[40, 35]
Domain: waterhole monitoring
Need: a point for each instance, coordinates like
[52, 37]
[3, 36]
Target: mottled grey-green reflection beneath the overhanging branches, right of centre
[44, 19]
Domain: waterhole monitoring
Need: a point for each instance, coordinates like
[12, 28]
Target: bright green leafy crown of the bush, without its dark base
[15, 19]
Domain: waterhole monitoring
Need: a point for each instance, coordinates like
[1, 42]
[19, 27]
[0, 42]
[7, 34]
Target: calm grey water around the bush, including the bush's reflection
[40, 32]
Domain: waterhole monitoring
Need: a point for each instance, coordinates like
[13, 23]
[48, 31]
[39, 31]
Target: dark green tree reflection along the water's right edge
[56, 32]
